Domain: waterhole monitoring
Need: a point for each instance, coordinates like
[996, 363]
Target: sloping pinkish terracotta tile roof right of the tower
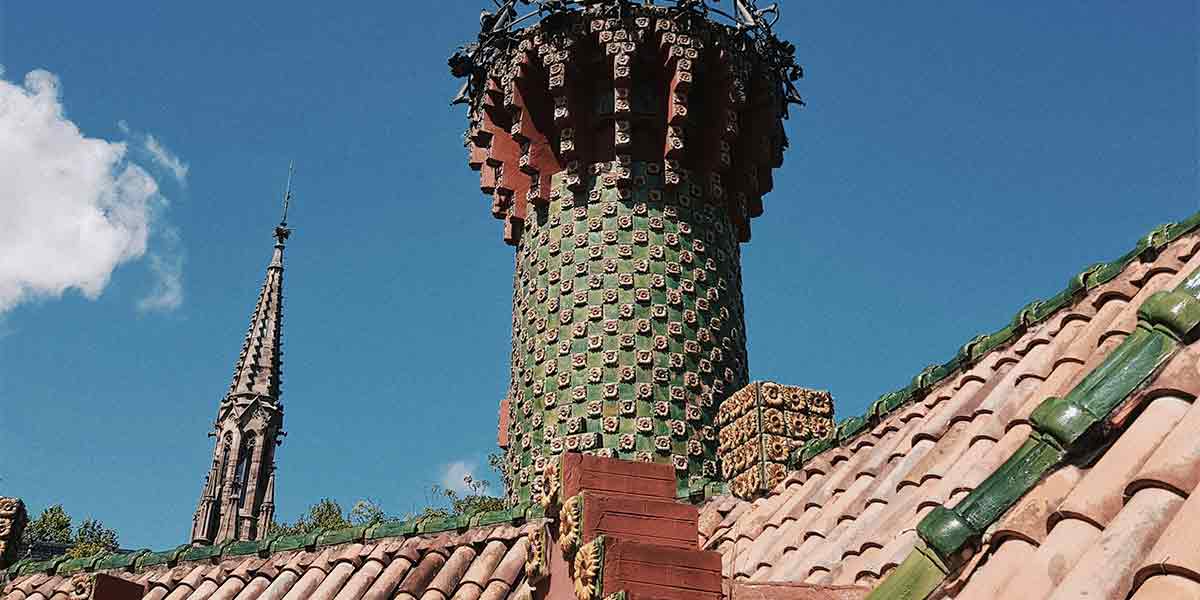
[1117, 524]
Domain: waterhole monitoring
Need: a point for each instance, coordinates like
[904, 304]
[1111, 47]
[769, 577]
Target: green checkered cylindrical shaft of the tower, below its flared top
[628, 326]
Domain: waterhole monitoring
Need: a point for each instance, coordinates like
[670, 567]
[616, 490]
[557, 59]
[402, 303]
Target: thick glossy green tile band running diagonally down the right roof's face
[1071, 428]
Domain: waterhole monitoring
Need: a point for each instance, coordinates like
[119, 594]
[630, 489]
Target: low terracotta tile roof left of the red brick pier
[483, 563]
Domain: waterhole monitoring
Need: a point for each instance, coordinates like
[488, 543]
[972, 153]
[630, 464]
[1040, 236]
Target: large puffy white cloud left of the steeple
[73, 208]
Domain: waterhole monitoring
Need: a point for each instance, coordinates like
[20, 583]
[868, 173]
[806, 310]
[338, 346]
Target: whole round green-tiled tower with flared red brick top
[626, 148]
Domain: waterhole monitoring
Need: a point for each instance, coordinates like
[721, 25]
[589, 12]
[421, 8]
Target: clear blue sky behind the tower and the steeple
[956, 161]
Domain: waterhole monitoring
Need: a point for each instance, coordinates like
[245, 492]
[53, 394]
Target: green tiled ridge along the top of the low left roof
[145, 559]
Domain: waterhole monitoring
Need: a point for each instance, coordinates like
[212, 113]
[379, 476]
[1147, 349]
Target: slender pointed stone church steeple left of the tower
[238, 501]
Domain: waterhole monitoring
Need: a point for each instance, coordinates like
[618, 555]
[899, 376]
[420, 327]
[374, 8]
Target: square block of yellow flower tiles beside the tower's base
[760, 427]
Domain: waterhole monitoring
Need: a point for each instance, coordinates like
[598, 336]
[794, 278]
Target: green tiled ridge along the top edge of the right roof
[981, 346]
